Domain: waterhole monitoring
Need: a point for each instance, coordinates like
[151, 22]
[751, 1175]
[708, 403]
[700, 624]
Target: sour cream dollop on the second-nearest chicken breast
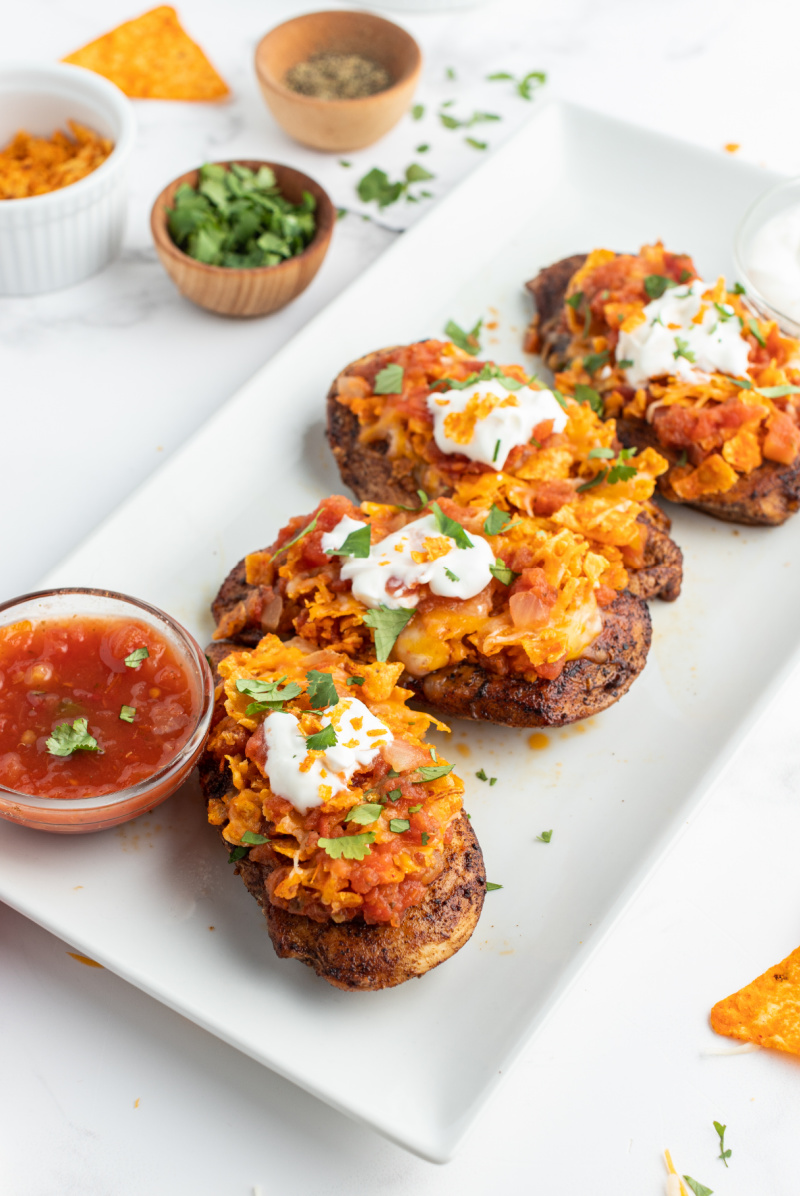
[392, 575]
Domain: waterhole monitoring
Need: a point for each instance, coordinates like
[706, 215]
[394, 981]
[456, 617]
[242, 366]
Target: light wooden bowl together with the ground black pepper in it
[371, 53]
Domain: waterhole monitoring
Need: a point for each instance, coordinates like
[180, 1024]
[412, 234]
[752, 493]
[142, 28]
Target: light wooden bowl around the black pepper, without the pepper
[338, 125]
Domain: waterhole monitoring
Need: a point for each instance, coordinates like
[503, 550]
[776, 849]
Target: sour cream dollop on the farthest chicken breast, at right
[659, 345]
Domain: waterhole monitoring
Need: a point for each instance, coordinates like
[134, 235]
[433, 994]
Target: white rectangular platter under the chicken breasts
[156, 901]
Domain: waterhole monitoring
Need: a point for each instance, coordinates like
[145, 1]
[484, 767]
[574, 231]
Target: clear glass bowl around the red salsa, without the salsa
[76, 816]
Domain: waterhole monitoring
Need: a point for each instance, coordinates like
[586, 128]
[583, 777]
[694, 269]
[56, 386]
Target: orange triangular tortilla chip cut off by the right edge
[766, 1012]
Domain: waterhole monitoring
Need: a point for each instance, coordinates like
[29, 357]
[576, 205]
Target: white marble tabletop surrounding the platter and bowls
[107, 1093]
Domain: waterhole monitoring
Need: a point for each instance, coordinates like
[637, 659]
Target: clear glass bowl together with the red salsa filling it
[106, 705]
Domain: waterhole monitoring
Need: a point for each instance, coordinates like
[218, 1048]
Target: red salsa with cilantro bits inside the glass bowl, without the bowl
[76, 719]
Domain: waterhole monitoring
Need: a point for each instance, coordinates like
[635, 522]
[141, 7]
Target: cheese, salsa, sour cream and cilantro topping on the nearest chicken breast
[333, 790]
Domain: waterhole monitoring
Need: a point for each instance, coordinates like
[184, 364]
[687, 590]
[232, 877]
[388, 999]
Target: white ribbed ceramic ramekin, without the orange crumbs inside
[53, 241]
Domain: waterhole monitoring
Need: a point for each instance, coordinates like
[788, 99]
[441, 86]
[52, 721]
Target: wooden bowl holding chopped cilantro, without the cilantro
[246, 292]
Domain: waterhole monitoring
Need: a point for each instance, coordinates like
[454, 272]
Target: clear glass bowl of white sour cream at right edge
[768, 246]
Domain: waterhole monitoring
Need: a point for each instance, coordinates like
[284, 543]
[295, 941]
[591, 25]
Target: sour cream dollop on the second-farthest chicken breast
[486, 422]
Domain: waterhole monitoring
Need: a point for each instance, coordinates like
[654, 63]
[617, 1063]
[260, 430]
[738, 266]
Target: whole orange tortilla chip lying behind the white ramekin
[152, 58]
